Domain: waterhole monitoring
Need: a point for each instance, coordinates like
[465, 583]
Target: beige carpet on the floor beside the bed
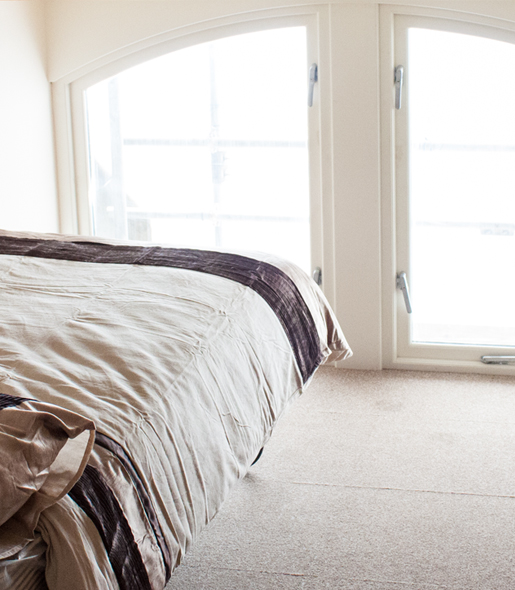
[373, 481]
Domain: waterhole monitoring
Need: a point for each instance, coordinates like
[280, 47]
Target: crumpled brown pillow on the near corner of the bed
[43, 452]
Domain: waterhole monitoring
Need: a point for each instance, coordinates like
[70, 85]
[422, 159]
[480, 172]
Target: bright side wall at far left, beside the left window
[28, 198]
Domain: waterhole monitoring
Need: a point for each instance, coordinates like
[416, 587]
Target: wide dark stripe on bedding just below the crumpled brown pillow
[97, 500]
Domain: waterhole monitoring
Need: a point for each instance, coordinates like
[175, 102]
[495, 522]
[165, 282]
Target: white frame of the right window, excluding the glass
[397, 354]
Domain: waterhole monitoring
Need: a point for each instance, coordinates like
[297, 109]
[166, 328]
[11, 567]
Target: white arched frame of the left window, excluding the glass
[69, 112]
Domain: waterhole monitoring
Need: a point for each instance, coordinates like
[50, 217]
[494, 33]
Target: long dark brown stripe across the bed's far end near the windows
[272, 284]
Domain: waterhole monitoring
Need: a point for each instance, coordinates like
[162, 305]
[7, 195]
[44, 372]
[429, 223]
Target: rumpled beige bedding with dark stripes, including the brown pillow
[137, 385]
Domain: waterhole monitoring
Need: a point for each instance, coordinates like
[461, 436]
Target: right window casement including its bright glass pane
[454, 193]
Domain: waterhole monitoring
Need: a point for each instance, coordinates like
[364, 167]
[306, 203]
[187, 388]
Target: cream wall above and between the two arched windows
[84, 32]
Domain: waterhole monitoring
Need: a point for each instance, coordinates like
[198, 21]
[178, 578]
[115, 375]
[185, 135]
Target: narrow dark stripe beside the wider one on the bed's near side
[112, 446]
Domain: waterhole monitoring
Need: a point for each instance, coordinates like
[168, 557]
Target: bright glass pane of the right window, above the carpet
[462, 188]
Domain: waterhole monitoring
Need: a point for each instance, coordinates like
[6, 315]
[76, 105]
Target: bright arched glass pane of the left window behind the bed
[206, 147]
